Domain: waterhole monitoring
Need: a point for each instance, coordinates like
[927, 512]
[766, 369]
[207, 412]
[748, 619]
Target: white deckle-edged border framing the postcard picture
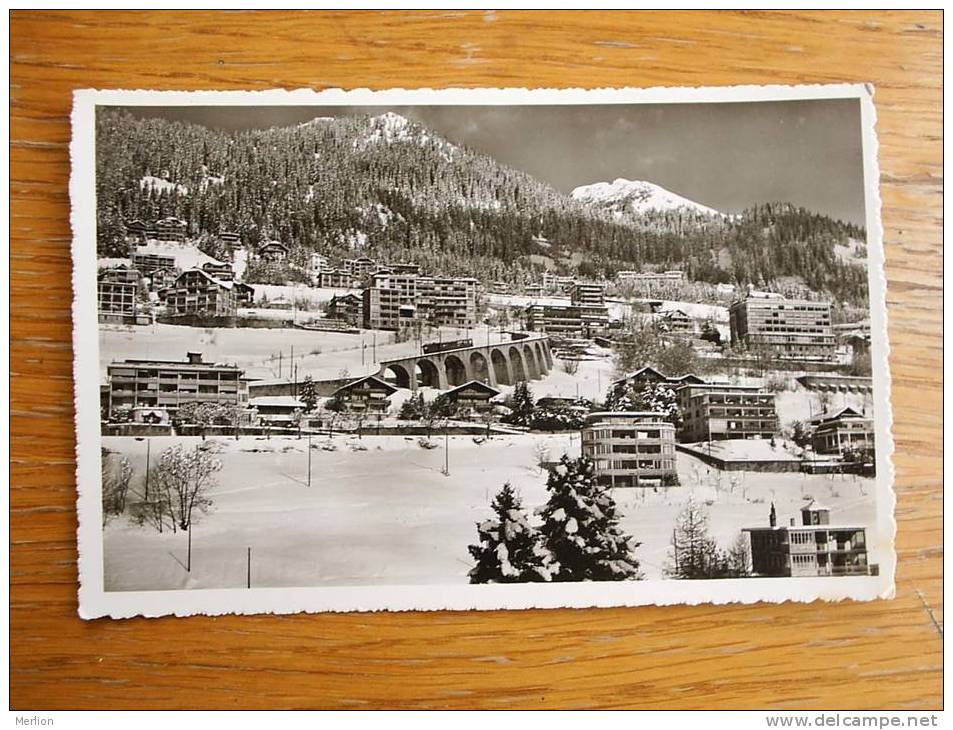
[95, 602]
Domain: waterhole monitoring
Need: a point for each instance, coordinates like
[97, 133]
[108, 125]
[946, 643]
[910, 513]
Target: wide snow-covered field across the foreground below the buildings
[354, 526]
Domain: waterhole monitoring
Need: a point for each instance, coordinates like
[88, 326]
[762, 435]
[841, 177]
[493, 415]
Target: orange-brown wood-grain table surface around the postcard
[885, 654]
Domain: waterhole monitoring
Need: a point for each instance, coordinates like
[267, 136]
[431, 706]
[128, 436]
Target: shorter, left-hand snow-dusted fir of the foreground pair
[510, 549]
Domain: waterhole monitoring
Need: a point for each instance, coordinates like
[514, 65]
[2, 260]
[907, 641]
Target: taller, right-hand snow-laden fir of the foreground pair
[581, 528]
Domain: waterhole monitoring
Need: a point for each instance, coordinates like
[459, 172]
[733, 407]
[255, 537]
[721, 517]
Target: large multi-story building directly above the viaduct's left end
[391, 298]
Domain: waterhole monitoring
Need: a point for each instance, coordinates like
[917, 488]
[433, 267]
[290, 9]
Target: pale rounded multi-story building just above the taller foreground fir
[630, 449]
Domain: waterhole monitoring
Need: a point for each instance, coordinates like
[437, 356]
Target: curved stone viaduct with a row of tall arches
[503, 363]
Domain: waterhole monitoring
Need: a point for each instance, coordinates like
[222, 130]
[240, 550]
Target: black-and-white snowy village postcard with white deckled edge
[479, 349]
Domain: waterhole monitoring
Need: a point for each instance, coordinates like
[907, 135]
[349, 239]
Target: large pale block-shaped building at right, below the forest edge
[793, 328]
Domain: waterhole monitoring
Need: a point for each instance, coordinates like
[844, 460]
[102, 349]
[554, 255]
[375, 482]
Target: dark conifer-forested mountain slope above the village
[391, 188]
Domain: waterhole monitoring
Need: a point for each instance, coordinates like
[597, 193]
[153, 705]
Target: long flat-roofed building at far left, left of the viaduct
[166, 384]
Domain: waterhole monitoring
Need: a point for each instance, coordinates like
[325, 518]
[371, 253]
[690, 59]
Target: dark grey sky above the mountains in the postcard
[725, 155]
